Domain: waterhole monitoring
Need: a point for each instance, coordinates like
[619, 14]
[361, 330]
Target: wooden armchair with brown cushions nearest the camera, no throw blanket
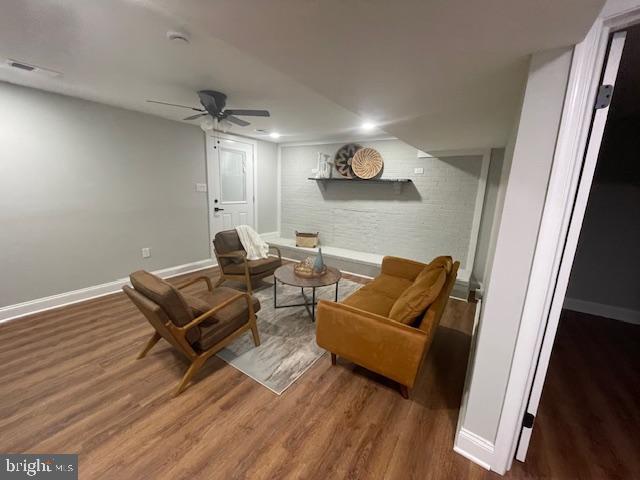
[198, 326]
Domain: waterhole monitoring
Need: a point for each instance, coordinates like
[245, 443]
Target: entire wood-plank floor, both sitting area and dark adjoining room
[70, 384]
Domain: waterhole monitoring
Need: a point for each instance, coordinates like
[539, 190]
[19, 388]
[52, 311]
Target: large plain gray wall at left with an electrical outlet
[83, 187]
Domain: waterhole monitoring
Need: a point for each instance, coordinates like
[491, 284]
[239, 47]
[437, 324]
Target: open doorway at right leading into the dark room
[586, 419]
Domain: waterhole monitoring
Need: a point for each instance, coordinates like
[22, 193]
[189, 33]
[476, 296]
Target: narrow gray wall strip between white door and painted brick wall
[267, 182]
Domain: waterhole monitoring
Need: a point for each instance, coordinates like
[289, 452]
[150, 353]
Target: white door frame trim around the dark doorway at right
[546, 288]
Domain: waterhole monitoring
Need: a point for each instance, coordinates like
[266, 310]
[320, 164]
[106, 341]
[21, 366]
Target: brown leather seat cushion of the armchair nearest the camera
[226, 321]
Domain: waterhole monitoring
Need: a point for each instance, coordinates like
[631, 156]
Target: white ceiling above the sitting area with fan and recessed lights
[436, 74]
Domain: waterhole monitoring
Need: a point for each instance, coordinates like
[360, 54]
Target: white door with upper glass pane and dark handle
[230, 163]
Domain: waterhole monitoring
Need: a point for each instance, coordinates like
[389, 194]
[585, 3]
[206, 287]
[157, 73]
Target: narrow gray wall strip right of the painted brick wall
[489, 216]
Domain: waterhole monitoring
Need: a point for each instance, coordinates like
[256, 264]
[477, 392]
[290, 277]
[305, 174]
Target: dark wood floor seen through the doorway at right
[588, 422]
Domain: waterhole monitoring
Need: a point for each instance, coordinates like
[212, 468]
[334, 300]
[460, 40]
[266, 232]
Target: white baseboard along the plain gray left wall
[11, 312]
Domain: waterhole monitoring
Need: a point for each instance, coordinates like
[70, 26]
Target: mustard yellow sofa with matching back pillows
[361, 329]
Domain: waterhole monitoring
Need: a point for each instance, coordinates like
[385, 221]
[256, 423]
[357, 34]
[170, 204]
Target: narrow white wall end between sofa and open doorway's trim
[515, 242]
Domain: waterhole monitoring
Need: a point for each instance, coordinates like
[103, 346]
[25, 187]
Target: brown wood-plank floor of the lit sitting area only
[70, 384]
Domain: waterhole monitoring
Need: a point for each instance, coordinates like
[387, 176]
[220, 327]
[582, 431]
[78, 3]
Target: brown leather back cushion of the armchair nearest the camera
[168, 297]
